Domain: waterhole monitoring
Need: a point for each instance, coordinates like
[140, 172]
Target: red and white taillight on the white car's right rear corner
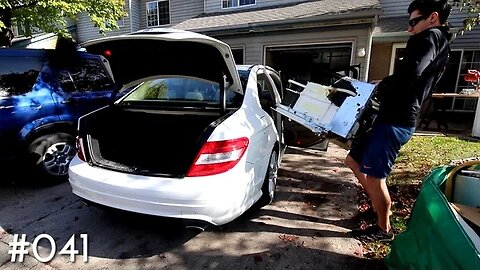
[218, 157]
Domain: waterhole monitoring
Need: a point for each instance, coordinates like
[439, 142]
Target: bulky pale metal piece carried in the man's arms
[331, 111]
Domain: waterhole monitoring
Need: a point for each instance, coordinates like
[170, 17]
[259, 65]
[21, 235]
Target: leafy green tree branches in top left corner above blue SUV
[51, 15]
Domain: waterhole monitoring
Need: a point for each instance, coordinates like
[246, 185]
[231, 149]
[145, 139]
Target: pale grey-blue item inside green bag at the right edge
[466, 189]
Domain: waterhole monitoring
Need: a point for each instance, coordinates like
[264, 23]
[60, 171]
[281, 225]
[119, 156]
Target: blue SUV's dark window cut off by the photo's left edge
[19, 75]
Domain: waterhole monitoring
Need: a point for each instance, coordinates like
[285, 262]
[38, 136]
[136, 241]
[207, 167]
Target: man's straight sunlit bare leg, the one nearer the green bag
[381, 199]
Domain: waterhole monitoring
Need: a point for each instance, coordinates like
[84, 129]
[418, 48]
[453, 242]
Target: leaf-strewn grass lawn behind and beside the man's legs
[416, 159]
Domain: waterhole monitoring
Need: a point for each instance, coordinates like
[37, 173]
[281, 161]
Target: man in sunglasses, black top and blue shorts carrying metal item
[401, 96]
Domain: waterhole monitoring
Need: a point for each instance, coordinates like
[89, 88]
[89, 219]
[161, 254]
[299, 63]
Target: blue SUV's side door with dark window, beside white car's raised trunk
[83, 87]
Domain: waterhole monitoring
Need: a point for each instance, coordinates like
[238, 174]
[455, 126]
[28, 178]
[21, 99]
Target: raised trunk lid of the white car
[154, 52]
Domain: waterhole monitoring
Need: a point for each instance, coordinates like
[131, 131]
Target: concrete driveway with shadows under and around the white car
[303, 229]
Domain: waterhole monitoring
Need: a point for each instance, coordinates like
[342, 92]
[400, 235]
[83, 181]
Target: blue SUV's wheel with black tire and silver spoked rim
[51, 155]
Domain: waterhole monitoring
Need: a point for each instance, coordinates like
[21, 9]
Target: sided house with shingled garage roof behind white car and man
[304, 39]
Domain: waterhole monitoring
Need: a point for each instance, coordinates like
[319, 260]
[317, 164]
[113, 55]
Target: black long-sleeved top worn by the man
[402, 93]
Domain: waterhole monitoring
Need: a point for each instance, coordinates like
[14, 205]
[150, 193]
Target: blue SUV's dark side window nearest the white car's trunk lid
[88, 75]
